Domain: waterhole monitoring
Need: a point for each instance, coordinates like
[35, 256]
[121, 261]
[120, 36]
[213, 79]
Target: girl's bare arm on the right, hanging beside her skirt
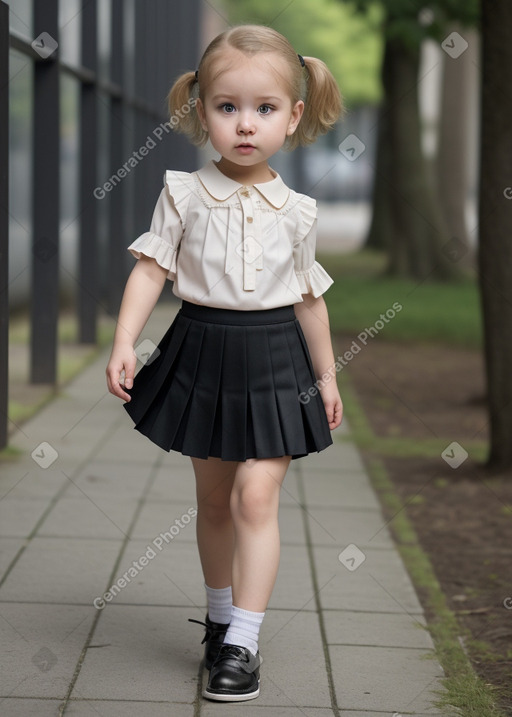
[314, 320]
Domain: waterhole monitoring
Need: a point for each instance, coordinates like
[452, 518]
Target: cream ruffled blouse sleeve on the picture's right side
[312, 277]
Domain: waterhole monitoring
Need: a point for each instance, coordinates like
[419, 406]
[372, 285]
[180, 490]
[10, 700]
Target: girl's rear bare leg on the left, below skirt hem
[214, 528]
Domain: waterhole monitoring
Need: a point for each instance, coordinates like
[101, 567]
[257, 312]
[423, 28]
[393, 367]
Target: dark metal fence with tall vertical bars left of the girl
[119, 68]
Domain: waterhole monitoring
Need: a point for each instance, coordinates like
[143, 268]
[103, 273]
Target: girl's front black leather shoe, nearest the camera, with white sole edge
[235, 675]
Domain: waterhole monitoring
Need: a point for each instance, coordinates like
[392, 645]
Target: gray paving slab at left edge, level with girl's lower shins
[58, 570]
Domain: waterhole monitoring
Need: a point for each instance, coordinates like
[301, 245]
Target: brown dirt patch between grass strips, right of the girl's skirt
[421, 391]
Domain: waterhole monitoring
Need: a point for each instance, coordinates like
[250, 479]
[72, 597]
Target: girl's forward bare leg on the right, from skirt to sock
[254, 512]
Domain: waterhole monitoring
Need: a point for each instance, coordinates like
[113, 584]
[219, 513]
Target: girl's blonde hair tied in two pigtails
[312, 83]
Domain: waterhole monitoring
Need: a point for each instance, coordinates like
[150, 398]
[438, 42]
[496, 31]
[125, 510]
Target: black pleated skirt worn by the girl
[231, 384]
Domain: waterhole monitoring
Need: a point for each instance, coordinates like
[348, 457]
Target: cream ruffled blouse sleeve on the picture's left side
[162, 240]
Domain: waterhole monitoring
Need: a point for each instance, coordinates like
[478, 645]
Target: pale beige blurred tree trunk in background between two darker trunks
[452, 155]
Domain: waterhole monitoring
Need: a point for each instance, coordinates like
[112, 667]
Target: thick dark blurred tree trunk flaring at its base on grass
[419, 244]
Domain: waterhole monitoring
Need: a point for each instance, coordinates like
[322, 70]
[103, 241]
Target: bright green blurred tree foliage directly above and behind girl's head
[348, 41]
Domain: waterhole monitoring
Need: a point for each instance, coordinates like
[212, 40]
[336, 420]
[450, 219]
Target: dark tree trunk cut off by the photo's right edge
[495, 241]
